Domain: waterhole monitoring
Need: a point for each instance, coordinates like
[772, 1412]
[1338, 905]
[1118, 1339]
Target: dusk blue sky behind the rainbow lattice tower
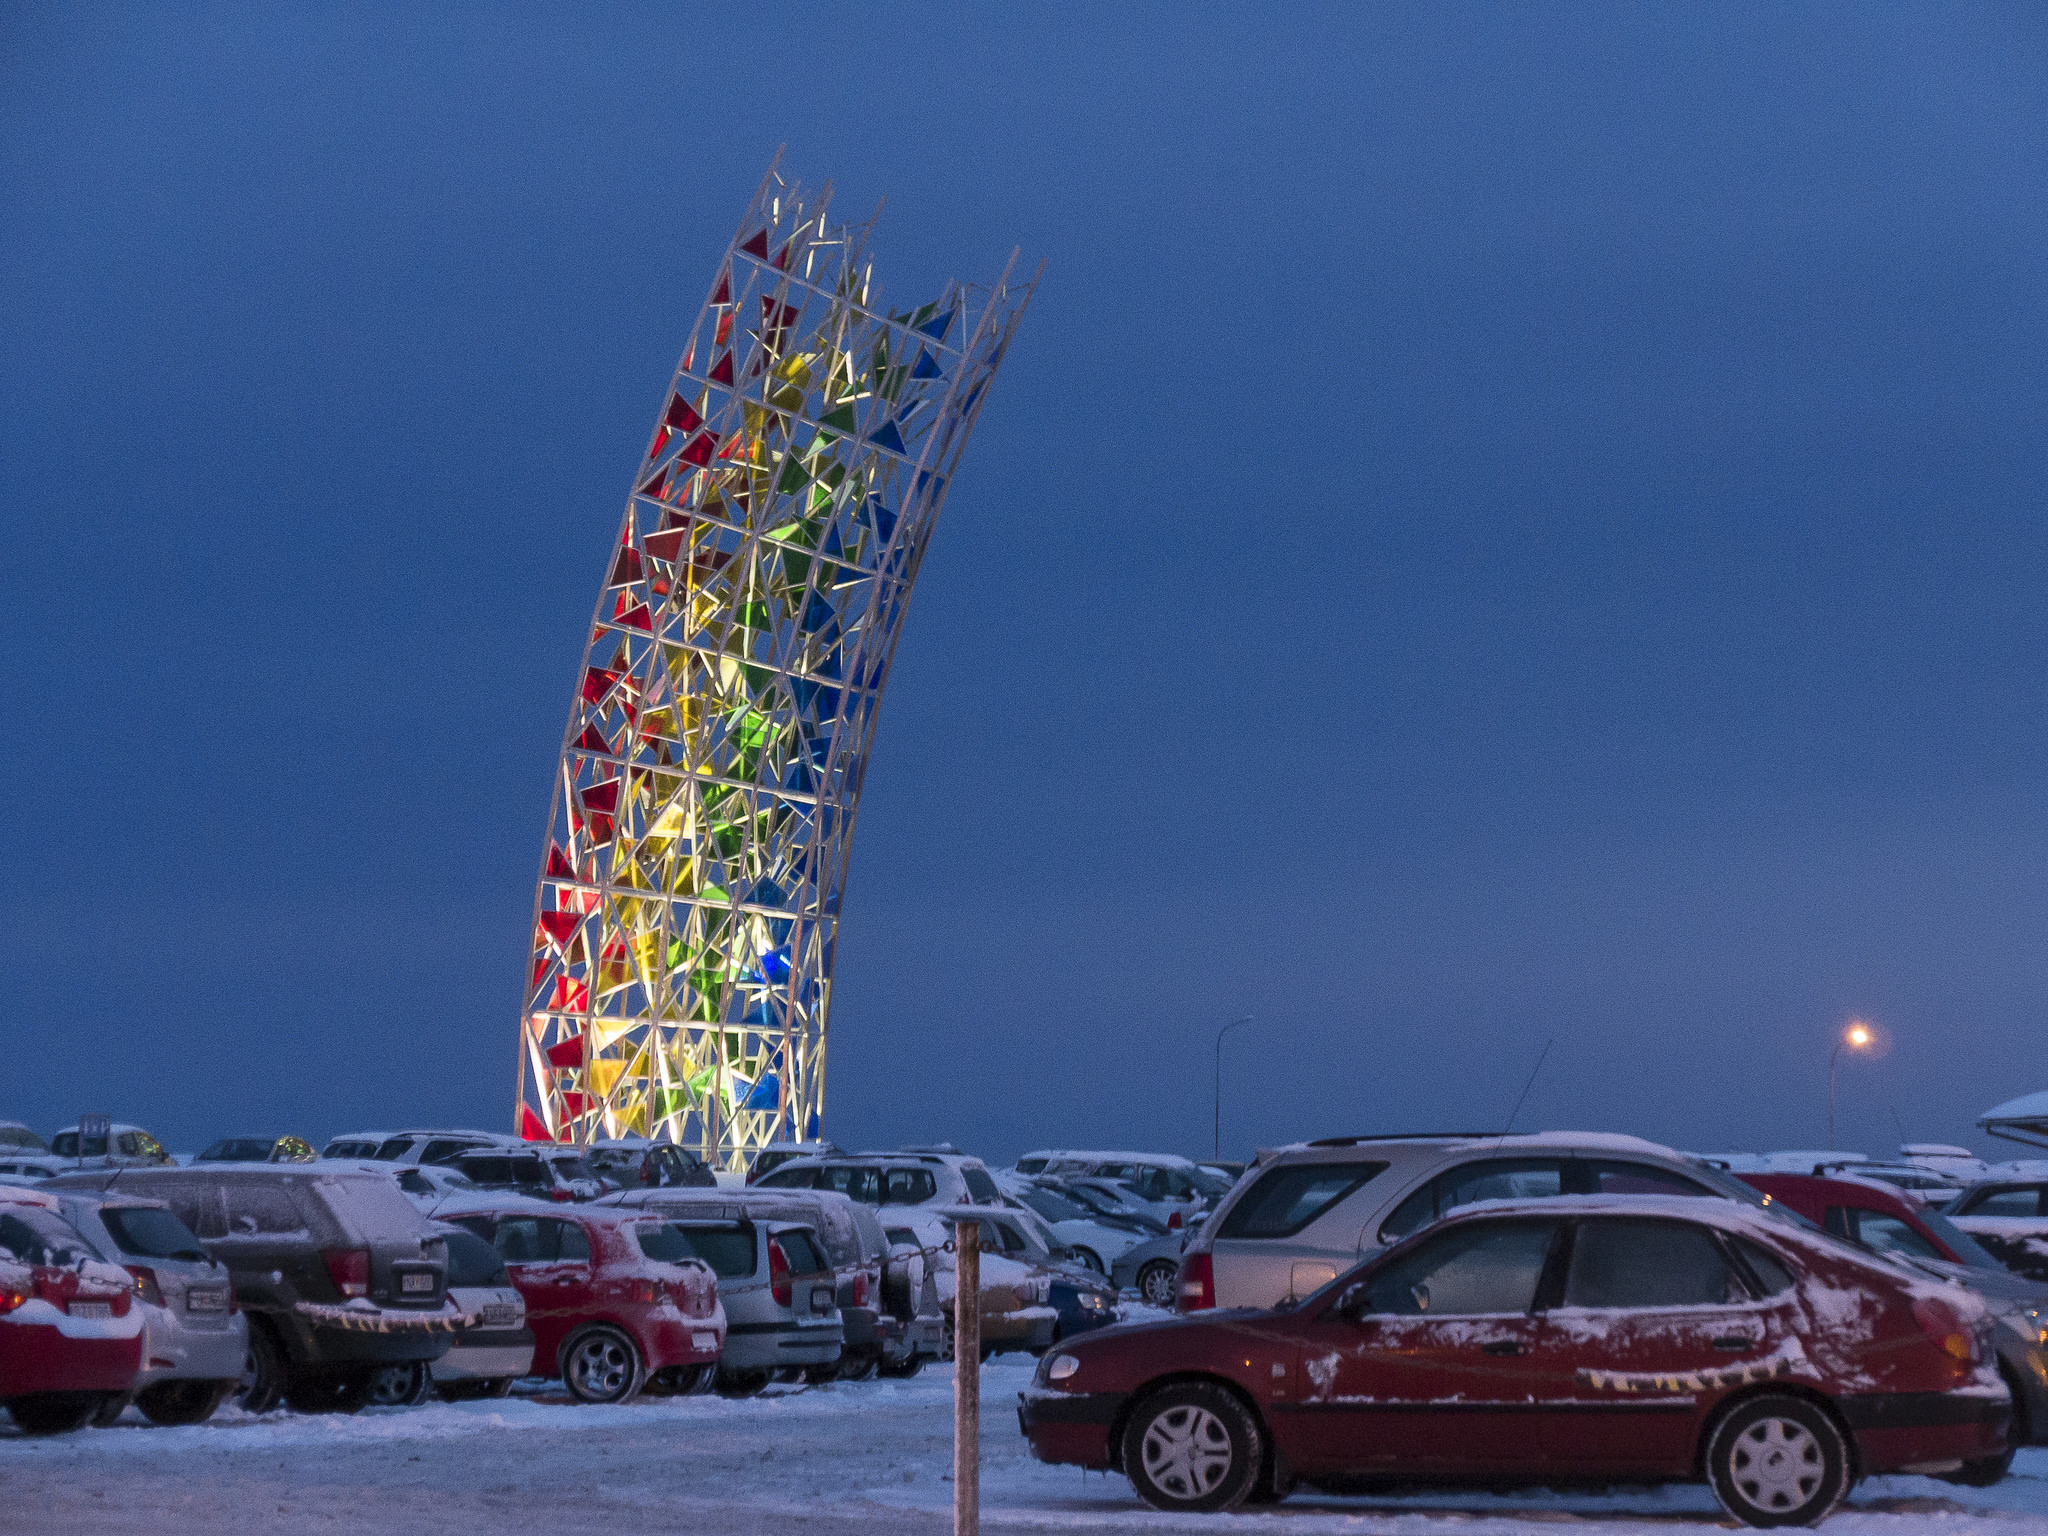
[1504, 523]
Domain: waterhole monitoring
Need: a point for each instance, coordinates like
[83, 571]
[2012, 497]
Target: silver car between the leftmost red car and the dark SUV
[194, 1338]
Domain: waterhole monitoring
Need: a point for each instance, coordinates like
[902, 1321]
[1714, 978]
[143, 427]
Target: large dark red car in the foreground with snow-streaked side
[1607, 1338]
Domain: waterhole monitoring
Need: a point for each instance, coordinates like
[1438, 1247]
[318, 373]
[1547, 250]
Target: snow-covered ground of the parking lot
[871, 1459]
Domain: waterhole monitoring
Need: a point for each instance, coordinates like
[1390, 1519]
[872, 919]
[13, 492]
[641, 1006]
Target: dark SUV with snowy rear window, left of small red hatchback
[337, 1271]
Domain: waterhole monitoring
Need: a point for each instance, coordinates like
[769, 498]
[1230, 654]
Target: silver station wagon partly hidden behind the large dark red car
[1308, 1211]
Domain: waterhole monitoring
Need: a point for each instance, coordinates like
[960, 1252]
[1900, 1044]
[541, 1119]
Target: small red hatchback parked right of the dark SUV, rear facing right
[615, 1299]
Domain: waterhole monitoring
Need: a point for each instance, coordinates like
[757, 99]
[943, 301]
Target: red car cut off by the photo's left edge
[71, 1336]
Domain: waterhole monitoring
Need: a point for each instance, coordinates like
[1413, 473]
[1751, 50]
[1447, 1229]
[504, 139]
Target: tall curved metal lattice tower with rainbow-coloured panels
[706, 802]
